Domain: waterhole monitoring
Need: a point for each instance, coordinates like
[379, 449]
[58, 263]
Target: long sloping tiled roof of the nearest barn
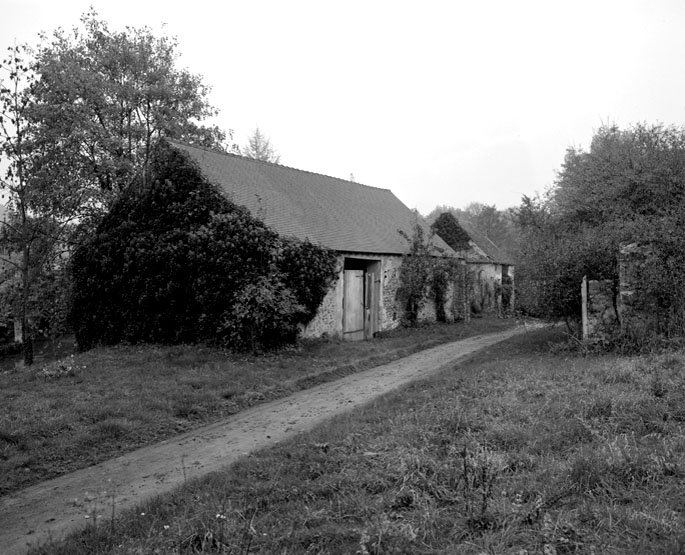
[339, 214]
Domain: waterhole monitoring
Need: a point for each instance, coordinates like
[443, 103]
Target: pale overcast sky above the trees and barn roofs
[443, 102]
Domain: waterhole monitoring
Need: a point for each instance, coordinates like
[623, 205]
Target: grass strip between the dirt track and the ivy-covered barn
[92, 407]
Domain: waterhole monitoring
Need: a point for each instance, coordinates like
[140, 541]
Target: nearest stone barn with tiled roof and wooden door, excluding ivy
[364, 225]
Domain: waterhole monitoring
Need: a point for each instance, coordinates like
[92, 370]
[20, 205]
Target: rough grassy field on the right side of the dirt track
[516, 451]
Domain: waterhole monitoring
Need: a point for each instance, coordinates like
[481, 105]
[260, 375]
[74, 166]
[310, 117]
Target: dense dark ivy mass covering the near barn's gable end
[175, 261]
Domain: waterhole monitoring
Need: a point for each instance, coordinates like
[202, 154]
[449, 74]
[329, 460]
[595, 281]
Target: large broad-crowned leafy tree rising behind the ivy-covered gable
[105, 97]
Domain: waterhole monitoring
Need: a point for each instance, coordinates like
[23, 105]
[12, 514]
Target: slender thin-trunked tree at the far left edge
[39, 225]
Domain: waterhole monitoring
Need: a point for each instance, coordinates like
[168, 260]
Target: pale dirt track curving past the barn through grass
[53, 508]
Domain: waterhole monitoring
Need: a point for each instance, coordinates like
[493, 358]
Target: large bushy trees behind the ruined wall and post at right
[629, 187]
